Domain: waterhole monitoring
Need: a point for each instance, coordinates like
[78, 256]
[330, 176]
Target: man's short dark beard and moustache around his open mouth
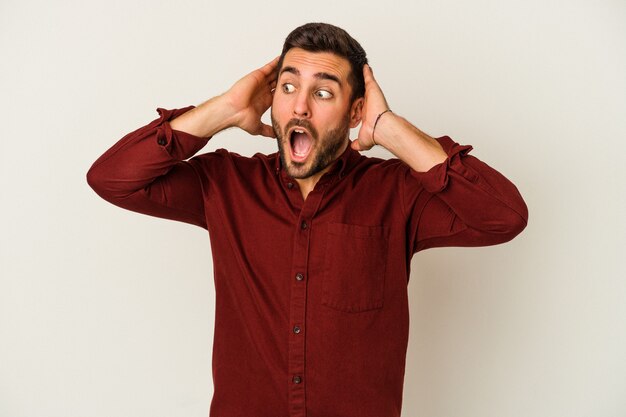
[323, 152]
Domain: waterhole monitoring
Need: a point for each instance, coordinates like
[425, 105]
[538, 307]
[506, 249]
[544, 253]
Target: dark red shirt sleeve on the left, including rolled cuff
[146, 171]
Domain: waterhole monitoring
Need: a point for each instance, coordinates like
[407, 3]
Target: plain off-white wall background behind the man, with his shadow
[105, 312]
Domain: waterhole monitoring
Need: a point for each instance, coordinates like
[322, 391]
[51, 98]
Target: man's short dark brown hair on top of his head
[324, 37]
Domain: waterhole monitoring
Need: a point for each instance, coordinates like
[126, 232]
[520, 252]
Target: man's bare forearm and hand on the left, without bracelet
[241, 106]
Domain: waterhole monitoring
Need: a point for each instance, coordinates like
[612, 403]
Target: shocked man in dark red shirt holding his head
[312, 245]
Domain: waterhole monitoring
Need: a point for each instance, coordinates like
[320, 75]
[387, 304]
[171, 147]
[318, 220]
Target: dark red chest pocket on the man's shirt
[355, 265]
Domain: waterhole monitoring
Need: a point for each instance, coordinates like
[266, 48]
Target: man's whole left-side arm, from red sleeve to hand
[147, 170]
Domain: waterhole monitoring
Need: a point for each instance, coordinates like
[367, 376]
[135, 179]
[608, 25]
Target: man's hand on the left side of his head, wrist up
[251, 96]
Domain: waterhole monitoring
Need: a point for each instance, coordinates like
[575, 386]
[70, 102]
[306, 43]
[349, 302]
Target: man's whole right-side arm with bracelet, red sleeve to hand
[454, 199]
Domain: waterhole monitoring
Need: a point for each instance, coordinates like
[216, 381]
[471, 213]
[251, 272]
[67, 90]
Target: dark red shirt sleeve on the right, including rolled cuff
[461, 202]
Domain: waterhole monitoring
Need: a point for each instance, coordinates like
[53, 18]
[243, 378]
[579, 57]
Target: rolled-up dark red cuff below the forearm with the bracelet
[436, 179]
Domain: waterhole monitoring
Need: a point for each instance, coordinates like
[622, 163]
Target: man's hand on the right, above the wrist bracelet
[373, 105]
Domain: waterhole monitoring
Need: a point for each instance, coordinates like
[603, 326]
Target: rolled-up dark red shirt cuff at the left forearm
[178, 144]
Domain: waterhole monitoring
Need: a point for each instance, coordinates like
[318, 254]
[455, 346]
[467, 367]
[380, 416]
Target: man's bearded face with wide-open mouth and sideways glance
[311, 111]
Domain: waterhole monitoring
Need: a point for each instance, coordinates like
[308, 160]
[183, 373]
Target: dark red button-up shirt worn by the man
[312, 312]
